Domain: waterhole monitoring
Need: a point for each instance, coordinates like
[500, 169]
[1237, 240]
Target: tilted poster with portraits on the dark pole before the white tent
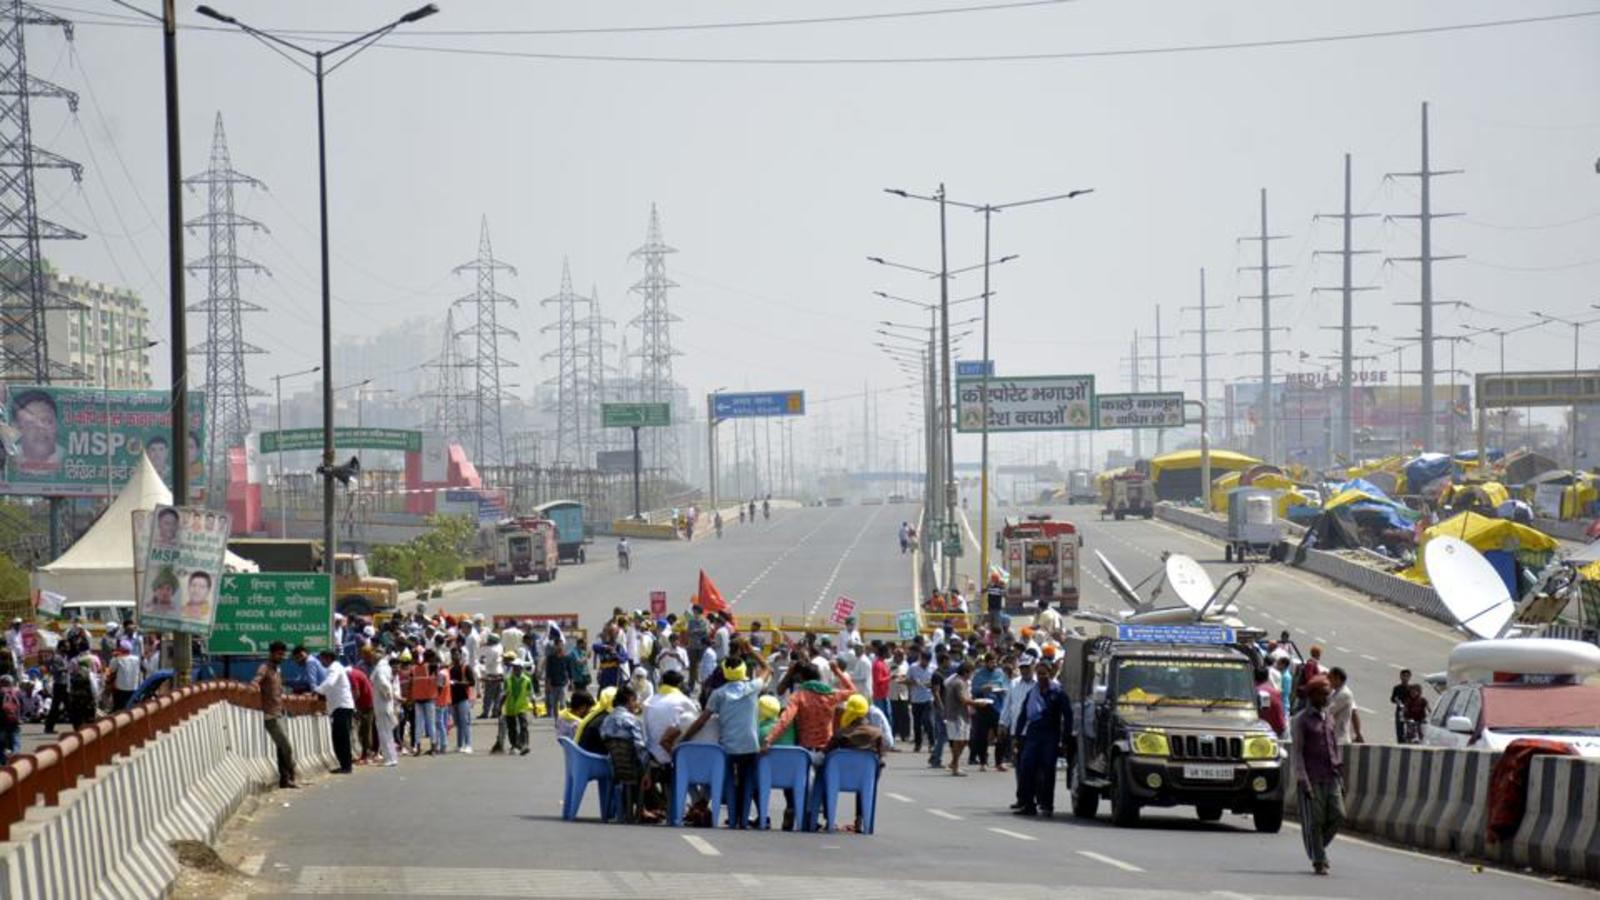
[183, 569]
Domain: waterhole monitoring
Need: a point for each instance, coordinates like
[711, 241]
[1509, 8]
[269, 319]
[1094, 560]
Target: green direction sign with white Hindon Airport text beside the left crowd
[260, 608]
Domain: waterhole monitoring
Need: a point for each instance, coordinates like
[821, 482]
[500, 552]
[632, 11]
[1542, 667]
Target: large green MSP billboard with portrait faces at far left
[87, 441]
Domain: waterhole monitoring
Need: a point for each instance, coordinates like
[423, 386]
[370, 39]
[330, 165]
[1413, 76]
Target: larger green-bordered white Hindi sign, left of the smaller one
[1036, 403]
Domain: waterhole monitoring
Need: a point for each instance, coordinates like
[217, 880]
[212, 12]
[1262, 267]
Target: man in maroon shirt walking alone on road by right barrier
[1314, 755]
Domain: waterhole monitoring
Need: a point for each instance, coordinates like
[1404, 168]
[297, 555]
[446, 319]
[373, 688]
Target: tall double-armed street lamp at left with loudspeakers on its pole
[319, 73]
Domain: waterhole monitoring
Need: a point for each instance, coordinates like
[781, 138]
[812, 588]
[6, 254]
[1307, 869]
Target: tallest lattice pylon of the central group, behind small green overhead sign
[655, 345]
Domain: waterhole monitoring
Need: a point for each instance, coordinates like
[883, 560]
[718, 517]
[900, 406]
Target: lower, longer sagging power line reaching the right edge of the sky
[1044, 57]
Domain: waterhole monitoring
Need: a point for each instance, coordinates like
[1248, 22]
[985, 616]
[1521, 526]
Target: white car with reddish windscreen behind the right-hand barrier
[1490, 717]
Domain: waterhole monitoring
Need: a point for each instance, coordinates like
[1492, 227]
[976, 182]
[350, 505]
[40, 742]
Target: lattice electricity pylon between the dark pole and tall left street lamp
[225, 348]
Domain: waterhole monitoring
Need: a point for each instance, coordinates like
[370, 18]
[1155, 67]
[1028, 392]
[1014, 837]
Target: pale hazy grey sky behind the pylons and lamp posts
[770, 177]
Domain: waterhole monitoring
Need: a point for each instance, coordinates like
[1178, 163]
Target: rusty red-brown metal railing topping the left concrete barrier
[57, 768]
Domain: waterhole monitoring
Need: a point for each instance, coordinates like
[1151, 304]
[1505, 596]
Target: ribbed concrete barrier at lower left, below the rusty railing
[110, 837]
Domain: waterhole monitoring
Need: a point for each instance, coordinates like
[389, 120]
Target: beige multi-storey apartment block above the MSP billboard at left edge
[106, 318]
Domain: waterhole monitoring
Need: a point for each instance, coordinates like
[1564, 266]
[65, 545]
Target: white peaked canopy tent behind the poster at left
[100, 566]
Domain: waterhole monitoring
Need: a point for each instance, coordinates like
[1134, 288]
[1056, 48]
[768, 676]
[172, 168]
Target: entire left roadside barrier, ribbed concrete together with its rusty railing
[95, 813]
